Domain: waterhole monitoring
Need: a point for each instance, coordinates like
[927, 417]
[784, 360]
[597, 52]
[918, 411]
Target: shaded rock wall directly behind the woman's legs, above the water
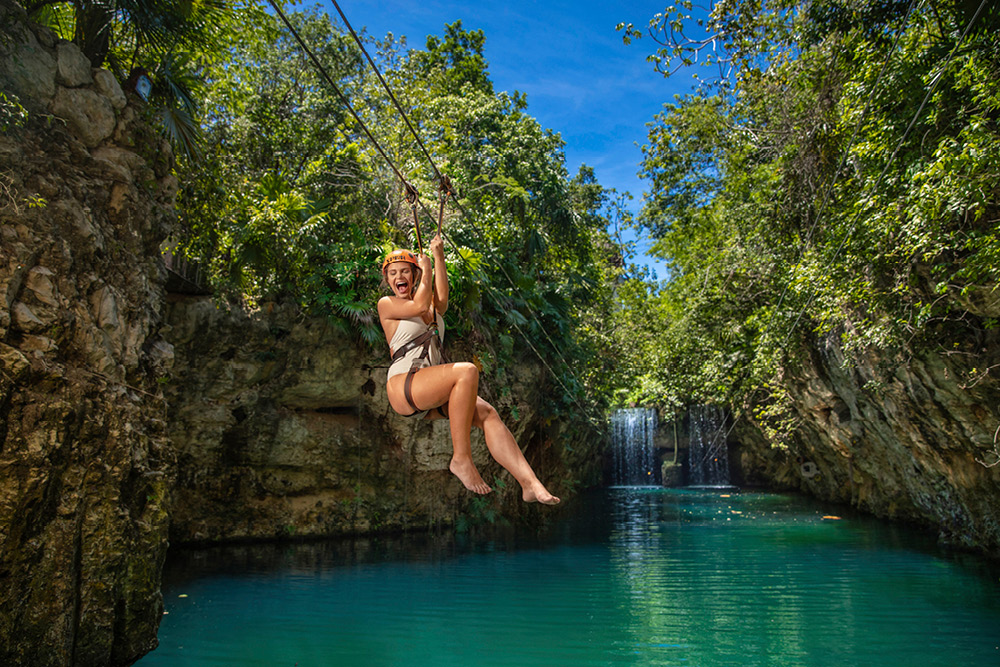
[282, 429]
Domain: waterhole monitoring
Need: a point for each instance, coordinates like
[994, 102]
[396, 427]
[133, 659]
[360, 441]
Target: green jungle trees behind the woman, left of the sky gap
[288, 200]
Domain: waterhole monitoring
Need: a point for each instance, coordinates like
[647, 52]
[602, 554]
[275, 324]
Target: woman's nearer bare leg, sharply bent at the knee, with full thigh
[454, 384]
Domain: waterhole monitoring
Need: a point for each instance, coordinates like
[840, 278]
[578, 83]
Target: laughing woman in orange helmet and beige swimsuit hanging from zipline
[419, 385]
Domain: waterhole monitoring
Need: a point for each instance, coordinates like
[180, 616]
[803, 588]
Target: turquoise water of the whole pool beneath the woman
[623, 577]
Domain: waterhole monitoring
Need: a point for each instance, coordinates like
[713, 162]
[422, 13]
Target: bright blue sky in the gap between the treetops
[567, 57]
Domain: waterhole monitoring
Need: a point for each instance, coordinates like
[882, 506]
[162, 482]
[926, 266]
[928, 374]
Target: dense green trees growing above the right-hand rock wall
[836, 174]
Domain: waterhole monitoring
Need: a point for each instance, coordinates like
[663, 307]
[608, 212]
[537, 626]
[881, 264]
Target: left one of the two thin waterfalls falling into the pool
[632, 453]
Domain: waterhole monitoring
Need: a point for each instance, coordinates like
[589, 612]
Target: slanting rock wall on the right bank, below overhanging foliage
[914, 439]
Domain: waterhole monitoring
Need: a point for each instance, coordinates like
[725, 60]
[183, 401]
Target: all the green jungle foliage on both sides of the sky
[834, 173]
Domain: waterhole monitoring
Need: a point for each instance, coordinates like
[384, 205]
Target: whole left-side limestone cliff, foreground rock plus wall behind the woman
[268, 425]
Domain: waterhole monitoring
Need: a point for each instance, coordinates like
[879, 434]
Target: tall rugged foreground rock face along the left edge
[85, 198]
